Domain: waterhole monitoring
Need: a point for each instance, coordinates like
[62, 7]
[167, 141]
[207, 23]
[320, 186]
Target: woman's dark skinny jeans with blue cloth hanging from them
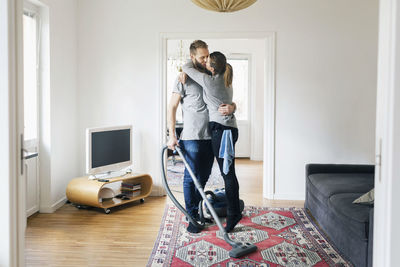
[231, 183]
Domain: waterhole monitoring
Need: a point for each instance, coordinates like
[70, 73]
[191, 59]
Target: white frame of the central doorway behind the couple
[269, 95]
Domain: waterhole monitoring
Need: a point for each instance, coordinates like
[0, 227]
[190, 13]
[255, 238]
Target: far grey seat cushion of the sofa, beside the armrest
[324, 185]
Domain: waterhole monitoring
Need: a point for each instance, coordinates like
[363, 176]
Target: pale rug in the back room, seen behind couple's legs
[175, 169]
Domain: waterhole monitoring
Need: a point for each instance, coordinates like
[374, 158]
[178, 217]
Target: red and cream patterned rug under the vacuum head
[284, 237]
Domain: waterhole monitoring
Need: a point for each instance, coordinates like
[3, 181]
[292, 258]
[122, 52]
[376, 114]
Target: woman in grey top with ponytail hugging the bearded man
[217, 91]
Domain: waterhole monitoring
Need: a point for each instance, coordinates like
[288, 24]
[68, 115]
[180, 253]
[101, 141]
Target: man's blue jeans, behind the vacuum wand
[199, 155]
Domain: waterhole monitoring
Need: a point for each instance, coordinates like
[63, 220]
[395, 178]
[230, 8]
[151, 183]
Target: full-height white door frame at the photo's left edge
[13, 210]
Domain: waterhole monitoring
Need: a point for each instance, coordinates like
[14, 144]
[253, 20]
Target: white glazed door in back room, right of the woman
[241, 96]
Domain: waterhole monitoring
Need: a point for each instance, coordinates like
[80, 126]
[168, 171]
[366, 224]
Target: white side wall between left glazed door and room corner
[59, 162]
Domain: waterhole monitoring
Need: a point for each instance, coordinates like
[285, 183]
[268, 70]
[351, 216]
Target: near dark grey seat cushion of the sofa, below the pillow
[354, 217]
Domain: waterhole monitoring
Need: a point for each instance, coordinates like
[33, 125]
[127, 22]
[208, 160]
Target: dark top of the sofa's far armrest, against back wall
[313, 168]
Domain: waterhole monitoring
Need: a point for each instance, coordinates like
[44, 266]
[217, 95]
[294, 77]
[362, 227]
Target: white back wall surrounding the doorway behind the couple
[325, 75]
